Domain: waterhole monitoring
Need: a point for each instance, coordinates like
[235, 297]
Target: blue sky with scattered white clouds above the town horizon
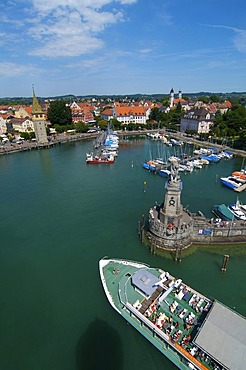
[88, 47]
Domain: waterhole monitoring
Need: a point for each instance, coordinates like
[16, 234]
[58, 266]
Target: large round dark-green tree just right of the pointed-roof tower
[59, 113]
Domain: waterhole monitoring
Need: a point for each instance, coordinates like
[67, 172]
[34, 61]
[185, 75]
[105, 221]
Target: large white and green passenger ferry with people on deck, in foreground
[190, 329]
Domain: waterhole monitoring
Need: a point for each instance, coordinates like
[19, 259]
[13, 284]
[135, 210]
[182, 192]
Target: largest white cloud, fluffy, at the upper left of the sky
[71, 27]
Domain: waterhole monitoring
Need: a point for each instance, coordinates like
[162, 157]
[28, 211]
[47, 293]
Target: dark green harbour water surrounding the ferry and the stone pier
[59, 216]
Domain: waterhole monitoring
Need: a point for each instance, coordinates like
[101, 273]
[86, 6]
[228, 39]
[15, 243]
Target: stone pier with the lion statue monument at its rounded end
[173, 228]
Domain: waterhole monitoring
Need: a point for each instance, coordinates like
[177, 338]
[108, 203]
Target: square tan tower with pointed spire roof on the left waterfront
[39, 120]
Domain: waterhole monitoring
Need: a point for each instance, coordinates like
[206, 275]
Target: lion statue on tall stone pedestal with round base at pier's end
[170, 226]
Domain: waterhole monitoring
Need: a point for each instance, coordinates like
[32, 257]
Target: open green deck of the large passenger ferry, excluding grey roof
[168, 307]
